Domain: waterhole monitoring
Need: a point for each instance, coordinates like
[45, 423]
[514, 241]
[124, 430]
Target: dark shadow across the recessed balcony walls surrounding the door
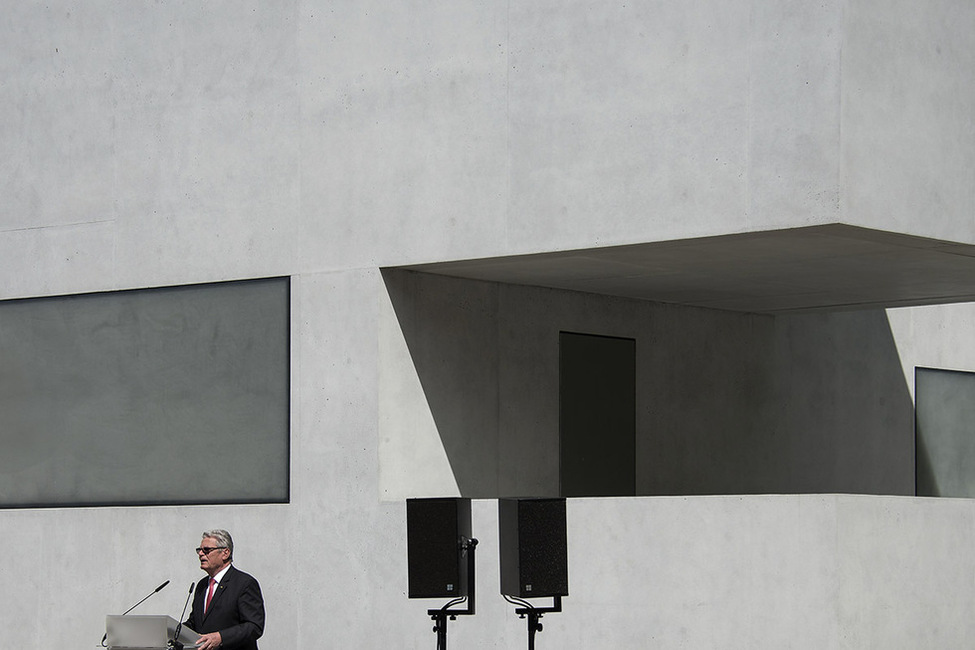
[727, 403]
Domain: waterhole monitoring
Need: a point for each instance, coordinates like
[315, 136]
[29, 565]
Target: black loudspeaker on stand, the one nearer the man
[436, 530]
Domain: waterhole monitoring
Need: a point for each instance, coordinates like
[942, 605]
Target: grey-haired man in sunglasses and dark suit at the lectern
[228, 608]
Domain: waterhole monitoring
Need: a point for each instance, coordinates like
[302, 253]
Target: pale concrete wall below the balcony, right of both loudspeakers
[768, 572]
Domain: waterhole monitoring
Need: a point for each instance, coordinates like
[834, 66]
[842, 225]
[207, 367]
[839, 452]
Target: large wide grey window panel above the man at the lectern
[177, 395]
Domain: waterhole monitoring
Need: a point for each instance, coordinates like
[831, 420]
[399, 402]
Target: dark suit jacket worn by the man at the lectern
[236, 611]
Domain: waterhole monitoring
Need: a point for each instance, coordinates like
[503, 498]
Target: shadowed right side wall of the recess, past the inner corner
[846, 414]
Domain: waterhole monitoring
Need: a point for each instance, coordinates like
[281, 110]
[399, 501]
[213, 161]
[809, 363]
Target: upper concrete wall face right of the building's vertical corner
[907, 155]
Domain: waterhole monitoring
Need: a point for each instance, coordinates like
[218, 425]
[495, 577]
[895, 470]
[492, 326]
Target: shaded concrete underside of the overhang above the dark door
[816, 268]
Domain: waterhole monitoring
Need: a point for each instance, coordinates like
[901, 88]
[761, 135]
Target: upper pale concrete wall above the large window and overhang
[163, 144]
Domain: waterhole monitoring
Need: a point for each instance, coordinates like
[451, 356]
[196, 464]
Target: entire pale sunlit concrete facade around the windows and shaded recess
[150, 144]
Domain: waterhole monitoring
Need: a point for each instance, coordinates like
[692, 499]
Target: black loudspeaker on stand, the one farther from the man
[534, 557]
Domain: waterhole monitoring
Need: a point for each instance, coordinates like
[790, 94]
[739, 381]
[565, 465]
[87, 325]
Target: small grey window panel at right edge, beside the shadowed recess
[945, 432]
